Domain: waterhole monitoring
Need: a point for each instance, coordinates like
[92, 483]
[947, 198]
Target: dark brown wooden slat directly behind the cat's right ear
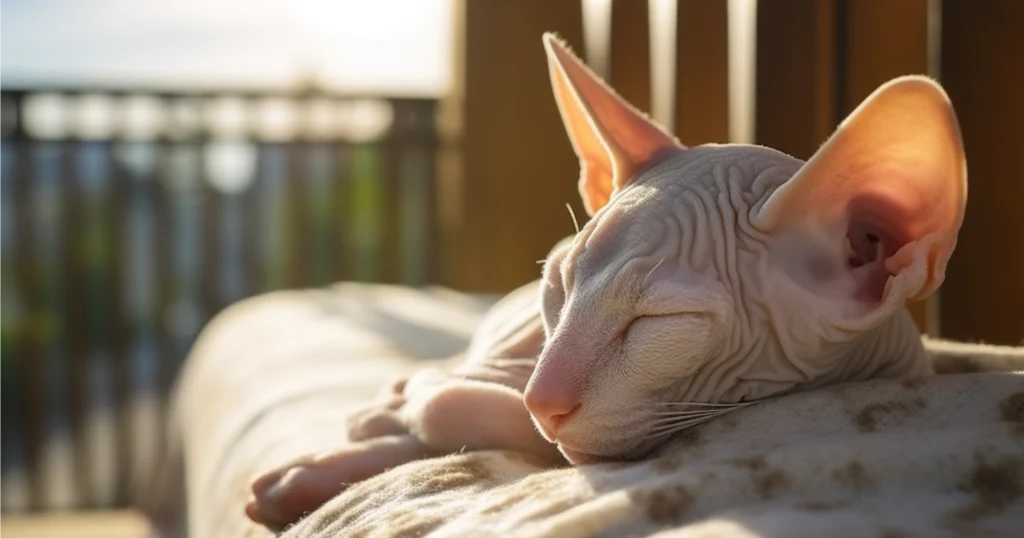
[884, 40]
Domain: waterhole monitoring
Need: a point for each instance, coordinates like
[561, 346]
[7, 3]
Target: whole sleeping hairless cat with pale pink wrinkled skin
[710, 275]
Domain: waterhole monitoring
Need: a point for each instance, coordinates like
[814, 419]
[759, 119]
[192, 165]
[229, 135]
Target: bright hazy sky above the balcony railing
[401, 47]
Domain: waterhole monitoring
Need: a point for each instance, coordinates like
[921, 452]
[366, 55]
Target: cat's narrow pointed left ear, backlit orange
[612, 139]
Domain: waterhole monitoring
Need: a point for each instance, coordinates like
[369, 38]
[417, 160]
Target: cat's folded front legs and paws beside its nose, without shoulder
[436, 413]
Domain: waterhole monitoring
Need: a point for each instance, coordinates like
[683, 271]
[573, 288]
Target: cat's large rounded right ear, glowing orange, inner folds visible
[873, 218]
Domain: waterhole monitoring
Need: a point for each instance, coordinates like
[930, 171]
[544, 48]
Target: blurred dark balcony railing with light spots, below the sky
[130, 218]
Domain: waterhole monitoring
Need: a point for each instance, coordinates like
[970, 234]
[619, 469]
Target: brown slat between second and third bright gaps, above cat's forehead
[702, 72]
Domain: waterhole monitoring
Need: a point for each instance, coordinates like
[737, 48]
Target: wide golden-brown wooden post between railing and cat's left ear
[516, 159]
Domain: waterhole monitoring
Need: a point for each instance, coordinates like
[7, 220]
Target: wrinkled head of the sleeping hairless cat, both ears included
[730, 273]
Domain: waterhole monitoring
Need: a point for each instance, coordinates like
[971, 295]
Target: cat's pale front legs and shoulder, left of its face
[473, 403]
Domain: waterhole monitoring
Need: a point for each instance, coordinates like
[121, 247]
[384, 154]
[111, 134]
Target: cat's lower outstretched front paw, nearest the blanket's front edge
[286, 494]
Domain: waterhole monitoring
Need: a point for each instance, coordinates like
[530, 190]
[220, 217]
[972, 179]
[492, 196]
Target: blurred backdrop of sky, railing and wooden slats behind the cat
[161, 160]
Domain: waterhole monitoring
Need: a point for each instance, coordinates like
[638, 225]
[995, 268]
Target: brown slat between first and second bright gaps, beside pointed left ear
[630, 53]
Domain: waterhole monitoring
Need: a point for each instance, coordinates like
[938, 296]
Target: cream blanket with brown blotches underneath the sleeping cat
[274, 378]
